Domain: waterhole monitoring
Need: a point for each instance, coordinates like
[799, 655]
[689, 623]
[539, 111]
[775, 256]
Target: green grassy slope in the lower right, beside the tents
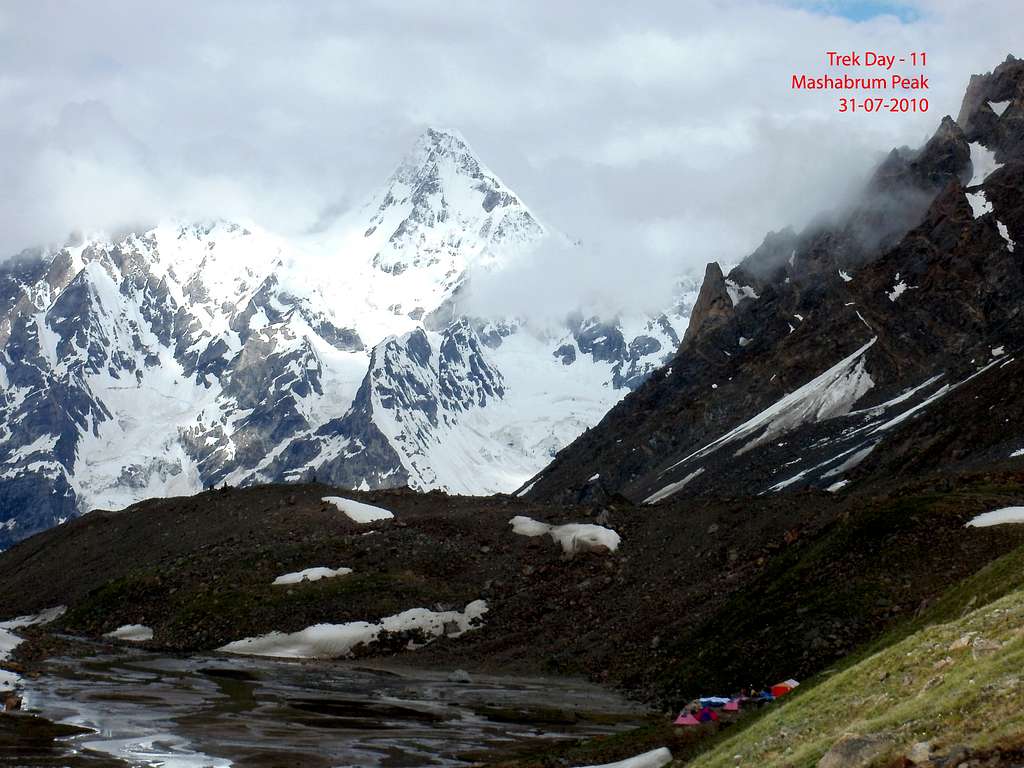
[953, 677]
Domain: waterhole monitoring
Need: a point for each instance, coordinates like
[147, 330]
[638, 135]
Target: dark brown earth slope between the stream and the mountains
[703, 595]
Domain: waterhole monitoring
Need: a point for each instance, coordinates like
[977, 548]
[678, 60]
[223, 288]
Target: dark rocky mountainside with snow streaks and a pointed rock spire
[880, 342]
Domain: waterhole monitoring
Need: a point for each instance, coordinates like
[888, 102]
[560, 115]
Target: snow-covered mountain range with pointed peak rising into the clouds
[162, 362]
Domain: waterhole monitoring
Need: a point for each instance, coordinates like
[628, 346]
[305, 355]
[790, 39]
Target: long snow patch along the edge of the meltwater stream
[338, 641]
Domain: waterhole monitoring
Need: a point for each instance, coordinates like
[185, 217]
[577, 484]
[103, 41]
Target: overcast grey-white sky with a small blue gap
[660, 134]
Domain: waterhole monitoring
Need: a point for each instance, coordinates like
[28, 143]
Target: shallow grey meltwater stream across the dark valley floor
[152, 710]
